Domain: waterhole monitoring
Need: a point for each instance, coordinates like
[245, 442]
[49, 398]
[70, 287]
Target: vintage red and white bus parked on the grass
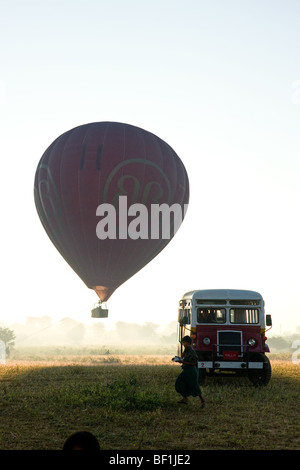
[228, 329]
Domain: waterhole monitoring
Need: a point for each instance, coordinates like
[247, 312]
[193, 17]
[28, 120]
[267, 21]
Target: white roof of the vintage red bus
[223, 294]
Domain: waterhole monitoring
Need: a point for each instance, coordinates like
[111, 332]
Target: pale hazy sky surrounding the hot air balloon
[220, 82]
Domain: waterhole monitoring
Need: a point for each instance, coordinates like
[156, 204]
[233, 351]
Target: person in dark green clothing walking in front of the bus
[187, 382]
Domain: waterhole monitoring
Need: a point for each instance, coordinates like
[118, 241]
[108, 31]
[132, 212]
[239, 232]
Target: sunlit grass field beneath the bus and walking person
[129, 402]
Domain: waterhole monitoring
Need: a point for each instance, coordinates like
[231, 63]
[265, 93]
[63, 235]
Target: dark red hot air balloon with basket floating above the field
[110, 170]
